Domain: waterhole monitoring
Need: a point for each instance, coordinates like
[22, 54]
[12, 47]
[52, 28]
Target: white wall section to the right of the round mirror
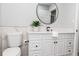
[66, 15]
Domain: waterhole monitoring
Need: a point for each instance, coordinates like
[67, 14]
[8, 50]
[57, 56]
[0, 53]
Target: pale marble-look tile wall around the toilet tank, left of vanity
[5, 30]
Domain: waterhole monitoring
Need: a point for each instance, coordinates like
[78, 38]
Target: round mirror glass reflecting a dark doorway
[47, 13]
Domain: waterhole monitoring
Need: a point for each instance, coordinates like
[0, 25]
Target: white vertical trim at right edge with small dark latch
[75, 52]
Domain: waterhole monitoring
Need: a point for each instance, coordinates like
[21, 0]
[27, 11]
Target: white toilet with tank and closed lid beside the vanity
[14, 41]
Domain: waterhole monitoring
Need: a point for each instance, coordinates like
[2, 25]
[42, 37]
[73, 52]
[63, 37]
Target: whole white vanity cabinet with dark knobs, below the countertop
[43, 44]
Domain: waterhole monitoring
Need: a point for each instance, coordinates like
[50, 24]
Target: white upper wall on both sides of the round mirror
[23, 14]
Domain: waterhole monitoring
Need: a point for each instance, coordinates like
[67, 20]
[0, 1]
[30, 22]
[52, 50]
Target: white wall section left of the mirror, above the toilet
[14, 14]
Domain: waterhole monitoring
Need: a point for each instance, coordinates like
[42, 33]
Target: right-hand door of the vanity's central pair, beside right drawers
[59, 47]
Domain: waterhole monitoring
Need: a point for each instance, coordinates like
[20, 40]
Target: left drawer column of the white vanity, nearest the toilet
[34, 47]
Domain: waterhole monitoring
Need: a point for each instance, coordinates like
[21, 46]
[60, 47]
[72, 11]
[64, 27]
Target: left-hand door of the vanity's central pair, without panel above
[47, 48]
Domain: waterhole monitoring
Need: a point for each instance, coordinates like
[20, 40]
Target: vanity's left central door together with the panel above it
[47, 45]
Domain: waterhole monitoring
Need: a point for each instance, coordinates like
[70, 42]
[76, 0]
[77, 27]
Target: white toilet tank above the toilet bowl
[14, 39]
